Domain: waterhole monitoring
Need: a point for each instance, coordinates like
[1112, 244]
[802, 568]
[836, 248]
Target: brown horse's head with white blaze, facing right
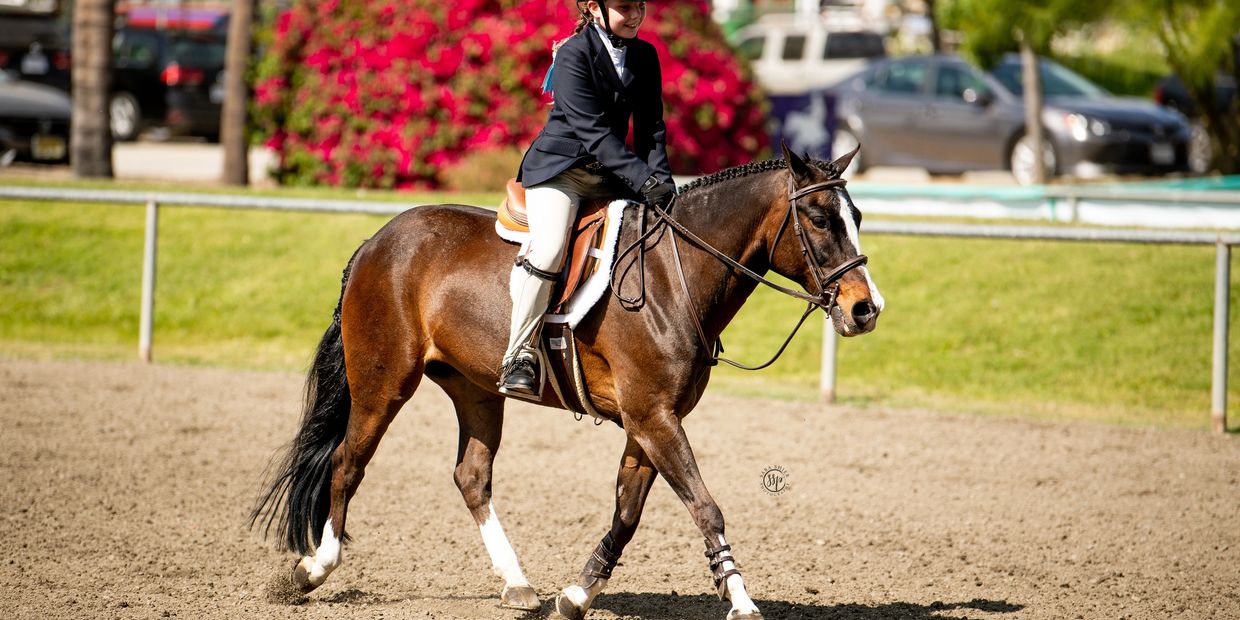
[826, 239]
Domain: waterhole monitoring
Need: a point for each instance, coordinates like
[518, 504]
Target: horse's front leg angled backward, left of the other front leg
[633, 484]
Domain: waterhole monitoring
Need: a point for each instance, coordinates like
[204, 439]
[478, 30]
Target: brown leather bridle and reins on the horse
[828, 286]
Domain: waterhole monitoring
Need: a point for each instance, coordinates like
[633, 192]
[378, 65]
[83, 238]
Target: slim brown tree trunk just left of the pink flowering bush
[235, 127]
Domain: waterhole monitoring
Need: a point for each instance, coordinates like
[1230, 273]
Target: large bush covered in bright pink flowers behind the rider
[390, 95]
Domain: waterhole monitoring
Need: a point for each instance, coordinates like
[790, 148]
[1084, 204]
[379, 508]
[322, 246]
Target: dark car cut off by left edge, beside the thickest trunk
[34, 122]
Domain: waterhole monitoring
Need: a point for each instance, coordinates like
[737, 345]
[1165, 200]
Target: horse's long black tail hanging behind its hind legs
[299, 497]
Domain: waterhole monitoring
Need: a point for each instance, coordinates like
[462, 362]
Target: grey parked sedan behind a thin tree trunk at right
[945, 116]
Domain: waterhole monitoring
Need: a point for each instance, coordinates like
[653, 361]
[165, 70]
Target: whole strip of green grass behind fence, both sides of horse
[1117, 334]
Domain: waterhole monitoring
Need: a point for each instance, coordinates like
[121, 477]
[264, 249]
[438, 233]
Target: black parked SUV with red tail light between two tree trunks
[168, 73]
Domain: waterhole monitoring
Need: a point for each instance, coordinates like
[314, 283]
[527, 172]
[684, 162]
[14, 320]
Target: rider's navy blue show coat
[590, 118]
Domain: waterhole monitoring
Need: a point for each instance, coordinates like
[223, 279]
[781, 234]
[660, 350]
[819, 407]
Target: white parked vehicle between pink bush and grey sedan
[795, 58]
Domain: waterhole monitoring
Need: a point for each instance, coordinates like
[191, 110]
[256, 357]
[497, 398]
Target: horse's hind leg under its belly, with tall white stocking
[482, 423]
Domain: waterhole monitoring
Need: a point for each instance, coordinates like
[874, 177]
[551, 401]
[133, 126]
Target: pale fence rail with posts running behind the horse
[1223, 244]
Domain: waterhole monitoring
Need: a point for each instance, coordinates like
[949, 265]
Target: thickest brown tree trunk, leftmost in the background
[91, 141]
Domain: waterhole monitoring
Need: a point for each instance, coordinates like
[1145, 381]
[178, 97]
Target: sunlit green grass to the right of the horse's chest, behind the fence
[1118, 334]
